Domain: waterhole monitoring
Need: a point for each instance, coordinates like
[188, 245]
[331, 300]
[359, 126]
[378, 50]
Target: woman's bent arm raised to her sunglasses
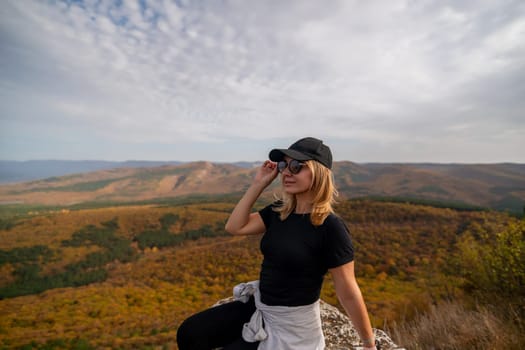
[242, 221]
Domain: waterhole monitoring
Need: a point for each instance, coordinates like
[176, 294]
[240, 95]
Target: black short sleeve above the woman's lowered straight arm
[337, 245]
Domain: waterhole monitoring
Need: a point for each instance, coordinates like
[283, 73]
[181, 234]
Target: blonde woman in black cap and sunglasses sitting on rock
[303, 239]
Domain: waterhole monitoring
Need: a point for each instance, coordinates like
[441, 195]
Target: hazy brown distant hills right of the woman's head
[496, 186]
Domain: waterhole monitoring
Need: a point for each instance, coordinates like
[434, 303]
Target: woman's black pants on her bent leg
[219, 326]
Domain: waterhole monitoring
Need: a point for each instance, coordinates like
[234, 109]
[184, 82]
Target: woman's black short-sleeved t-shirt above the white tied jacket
[298, 254]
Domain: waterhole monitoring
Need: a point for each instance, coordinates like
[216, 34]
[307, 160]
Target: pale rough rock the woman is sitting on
[339, 332]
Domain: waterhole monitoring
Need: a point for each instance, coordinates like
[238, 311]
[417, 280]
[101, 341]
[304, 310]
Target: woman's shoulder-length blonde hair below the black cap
[324, 195]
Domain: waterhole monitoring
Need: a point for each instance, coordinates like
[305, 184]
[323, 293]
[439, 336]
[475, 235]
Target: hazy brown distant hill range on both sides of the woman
[497, 186]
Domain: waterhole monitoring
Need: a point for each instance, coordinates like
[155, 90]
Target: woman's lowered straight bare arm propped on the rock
[351, 298]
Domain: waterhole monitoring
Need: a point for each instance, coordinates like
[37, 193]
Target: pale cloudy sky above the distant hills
[378, 81]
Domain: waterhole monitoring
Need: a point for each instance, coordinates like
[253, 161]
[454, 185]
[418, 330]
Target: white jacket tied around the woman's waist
[281, 327]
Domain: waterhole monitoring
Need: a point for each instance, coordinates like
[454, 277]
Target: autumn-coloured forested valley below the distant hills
[126, 276]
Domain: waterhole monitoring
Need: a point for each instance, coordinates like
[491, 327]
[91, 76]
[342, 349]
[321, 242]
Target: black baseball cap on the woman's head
[305, 149]
